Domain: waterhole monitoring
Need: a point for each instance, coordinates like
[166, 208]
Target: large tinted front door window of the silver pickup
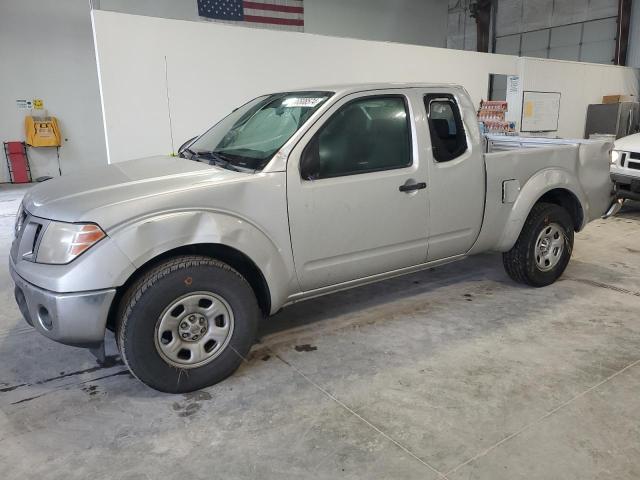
[365, 135]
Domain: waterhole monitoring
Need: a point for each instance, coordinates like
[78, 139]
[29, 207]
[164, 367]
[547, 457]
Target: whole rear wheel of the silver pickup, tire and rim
[543, 248]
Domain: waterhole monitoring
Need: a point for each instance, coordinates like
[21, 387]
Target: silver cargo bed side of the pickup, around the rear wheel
[528, 165]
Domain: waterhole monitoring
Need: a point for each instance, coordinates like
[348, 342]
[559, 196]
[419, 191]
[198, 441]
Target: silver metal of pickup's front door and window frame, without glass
[380, 228]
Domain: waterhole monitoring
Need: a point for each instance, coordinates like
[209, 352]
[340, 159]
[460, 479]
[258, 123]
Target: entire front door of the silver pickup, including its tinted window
[356, 192]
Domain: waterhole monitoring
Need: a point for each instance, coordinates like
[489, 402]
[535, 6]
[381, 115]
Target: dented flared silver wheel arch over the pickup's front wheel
[146, 238]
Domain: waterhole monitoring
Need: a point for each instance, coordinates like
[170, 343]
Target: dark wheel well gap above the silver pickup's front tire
[232, 257]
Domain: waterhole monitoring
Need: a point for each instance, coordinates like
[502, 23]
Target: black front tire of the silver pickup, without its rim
[148, 298]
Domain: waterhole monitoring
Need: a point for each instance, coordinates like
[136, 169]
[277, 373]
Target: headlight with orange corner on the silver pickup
[63, 242]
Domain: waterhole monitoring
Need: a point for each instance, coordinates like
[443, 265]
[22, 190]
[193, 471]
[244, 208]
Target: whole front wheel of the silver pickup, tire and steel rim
[187, 324]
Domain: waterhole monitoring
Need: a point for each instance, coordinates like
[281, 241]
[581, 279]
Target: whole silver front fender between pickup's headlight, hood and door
[249, 216]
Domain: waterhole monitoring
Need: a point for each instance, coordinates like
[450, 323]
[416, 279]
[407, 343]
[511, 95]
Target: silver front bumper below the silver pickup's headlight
[77, 319]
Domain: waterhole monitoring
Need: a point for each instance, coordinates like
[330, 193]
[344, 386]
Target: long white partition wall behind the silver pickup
[206, 82]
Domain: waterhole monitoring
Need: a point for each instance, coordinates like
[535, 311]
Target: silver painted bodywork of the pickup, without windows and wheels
[309, 238]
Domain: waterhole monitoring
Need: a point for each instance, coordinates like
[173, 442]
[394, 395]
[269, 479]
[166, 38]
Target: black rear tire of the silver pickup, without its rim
[520, 262]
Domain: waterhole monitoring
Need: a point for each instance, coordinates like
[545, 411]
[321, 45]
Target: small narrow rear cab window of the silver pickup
[447, 131]
